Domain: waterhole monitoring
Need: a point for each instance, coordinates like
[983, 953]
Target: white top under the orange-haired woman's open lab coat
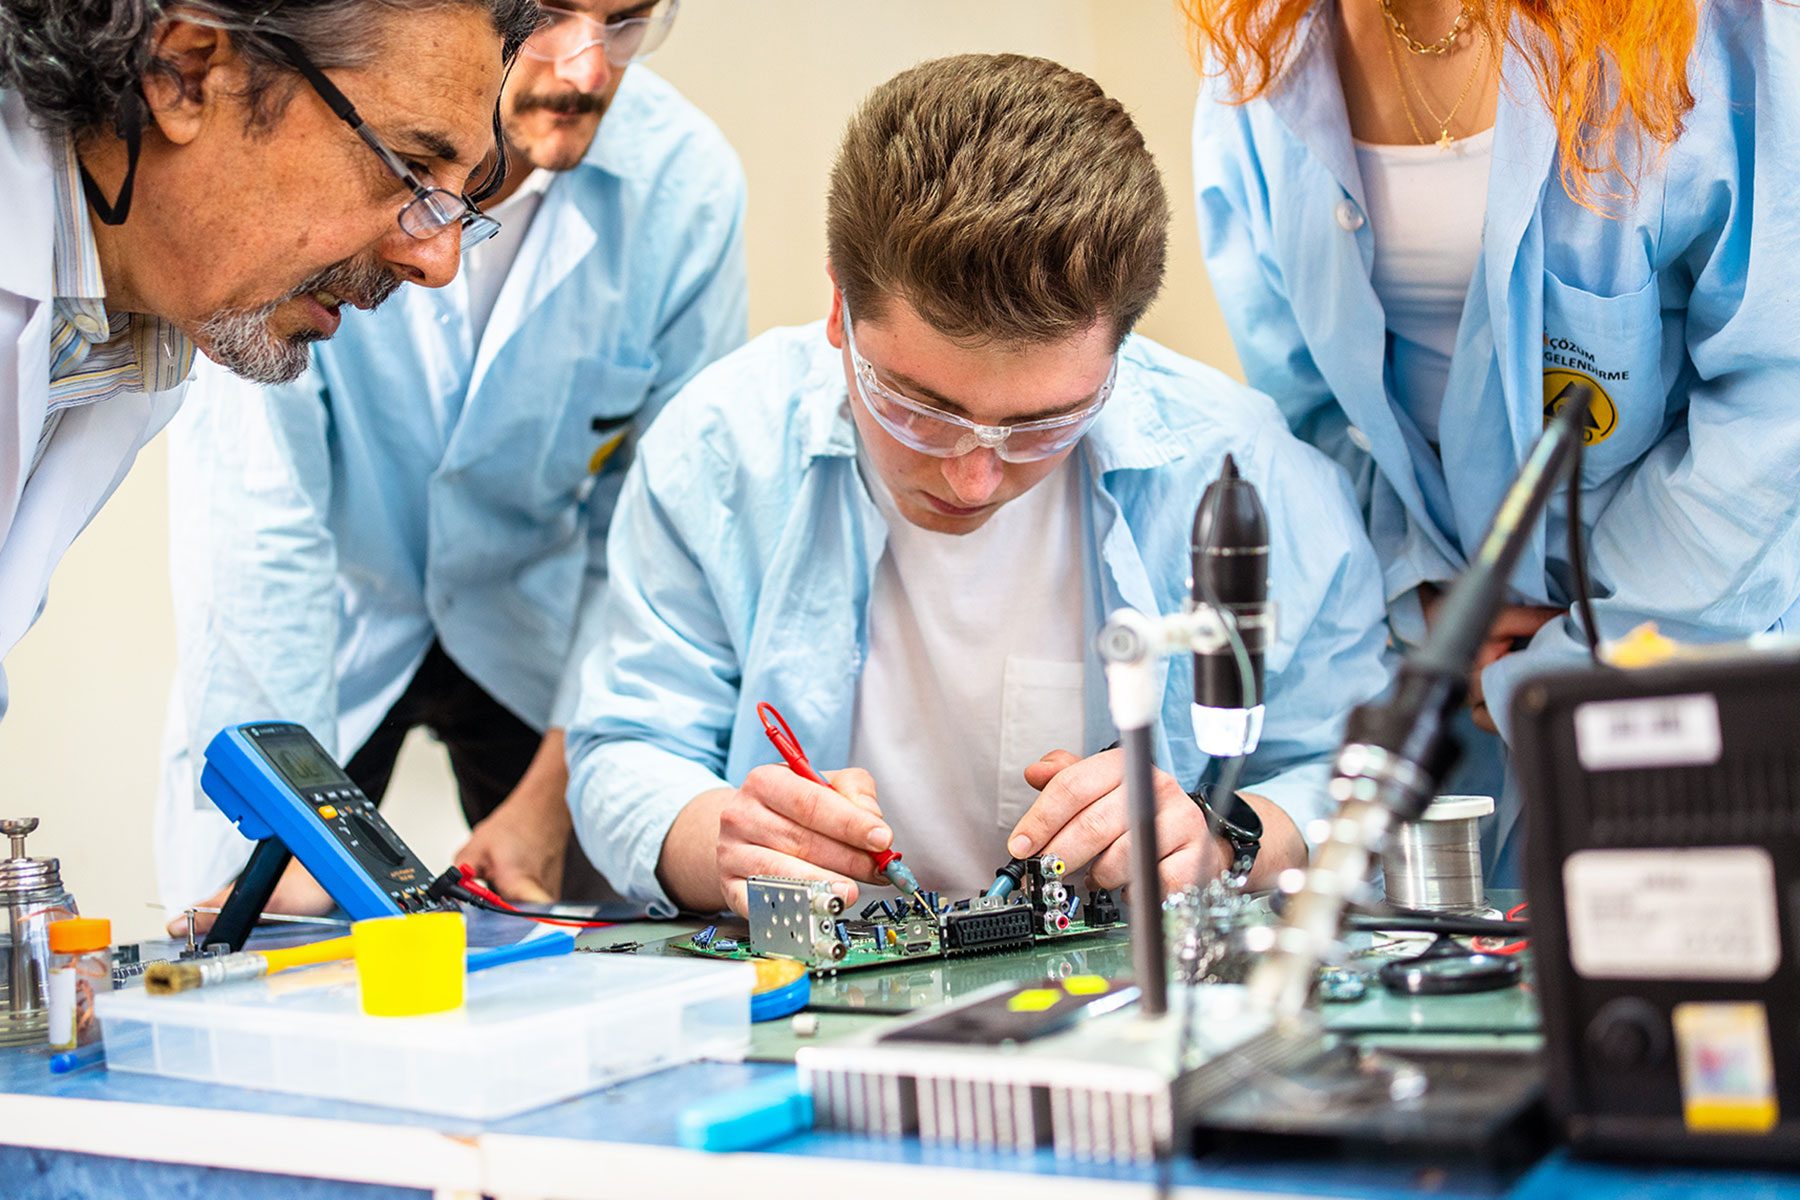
[1426, 208]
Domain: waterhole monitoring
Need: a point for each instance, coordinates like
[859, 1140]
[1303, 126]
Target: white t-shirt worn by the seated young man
[973, 672]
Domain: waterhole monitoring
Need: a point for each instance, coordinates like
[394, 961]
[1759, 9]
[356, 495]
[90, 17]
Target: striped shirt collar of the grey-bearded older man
[96, 355]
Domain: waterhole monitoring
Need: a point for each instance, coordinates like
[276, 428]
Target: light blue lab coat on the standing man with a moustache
[424, 485]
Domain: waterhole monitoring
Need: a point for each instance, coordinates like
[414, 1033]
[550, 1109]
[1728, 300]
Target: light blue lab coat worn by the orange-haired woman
[1682, 309]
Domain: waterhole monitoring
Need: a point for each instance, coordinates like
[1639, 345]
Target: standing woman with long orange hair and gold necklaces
[1428, 219]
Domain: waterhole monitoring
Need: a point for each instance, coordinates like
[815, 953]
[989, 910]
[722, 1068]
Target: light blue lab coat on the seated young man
[746, 544]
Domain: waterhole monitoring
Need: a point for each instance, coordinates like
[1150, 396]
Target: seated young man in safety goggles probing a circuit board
[904, 526]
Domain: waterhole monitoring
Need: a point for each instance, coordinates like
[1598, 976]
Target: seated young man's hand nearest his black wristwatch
[1081, 816]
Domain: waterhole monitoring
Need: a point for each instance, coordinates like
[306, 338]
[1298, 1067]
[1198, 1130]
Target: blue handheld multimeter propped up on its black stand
[280, 787]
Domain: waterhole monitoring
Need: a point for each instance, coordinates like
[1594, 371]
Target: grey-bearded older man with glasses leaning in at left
[172, 190]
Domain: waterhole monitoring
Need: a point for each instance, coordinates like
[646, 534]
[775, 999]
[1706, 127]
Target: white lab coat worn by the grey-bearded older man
[44, 510]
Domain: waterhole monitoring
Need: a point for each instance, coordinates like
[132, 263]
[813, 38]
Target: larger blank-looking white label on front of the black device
[1673, 913]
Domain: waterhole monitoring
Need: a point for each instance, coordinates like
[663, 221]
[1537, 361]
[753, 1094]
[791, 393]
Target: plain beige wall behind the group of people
[80, 748]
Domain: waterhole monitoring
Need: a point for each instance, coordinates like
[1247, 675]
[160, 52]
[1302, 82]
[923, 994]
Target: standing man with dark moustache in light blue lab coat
[413, 533]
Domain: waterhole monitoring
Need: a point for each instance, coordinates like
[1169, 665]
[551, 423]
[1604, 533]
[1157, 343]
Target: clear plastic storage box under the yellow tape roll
[532, 1034]
